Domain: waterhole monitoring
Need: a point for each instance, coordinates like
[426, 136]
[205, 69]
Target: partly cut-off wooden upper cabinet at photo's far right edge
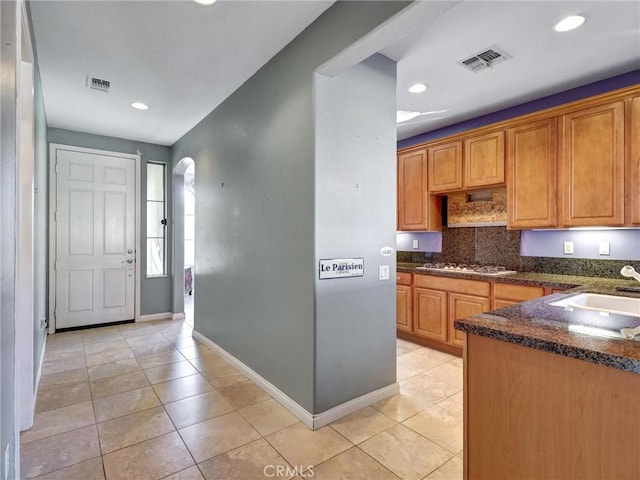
[633, 162]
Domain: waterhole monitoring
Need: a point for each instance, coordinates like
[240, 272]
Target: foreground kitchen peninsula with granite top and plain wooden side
[543, 398]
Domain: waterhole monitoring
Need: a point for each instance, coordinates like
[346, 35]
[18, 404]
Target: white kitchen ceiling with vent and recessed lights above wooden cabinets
[542, 61]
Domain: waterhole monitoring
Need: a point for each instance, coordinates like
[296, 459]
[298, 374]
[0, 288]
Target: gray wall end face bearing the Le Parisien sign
[355, 216]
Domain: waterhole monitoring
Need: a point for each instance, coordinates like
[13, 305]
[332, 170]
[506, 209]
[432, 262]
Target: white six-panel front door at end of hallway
[95, 238]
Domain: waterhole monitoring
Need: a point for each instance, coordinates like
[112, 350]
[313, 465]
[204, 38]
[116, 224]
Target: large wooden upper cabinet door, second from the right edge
[592, 167]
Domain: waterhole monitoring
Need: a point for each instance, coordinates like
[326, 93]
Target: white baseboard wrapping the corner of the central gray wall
[311, 420]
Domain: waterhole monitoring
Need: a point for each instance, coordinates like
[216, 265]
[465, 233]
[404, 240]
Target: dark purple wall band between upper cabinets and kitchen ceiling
[595, 88]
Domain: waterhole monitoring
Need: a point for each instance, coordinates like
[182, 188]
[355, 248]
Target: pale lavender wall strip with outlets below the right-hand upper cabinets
[624, 244]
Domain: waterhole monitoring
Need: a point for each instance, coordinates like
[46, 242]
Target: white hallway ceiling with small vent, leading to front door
[181, 58]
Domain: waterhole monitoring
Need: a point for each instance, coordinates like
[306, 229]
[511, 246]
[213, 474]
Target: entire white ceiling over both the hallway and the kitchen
[184, 59]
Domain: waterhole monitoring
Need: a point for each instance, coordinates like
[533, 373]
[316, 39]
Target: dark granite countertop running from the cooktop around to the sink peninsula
[536, 324]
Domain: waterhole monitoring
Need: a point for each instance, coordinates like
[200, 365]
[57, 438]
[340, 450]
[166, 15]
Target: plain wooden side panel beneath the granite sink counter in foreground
[533, 414]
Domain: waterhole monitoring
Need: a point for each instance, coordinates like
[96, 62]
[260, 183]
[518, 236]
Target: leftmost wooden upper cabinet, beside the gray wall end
[417, 210]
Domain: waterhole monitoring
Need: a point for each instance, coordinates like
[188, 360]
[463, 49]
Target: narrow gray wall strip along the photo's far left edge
[9, 42]
